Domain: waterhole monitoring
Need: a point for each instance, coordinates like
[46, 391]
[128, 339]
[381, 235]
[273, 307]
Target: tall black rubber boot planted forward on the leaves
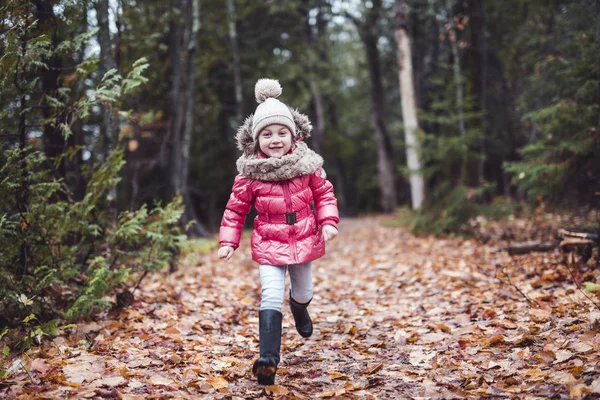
[265, 368]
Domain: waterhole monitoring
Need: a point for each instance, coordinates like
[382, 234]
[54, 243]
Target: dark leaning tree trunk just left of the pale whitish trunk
[385, 157]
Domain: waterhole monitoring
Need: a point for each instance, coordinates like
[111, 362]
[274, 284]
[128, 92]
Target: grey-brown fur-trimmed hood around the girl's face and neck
[298, 162]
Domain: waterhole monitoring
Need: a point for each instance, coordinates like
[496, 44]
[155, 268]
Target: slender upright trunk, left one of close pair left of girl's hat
[176, 103]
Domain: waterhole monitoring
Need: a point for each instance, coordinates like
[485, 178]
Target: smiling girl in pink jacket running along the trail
[281, 176]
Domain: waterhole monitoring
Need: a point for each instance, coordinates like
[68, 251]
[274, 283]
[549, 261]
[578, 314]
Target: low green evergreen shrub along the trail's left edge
[61, 257]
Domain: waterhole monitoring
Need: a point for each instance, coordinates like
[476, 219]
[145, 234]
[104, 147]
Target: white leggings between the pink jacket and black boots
[272, 281]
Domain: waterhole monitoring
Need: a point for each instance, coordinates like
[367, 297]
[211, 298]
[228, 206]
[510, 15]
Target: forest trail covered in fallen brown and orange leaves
[395, 316]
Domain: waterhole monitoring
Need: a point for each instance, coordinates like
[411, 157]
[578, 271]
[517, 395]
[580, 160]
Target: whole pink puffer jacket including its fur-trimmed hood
[286, 229]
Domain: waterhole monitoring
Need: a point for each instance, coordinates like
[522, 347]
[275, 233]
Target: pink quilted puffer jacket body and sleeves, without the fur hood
[285, 229]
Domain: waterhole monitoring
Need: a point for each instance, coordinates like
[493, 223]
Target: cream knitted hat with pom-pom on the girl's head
[270, 110]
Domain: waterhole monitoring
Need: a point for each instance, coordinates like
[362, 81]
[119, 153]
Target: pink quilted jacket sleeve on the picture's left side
[238, 206]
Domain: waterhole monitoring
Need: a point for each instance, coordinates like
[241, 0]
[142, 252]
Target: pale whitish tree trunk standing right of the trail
[409, 109]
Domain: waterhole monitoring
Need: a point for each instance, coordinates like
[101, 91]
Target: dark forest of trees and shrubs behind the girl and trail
[118, 122]
